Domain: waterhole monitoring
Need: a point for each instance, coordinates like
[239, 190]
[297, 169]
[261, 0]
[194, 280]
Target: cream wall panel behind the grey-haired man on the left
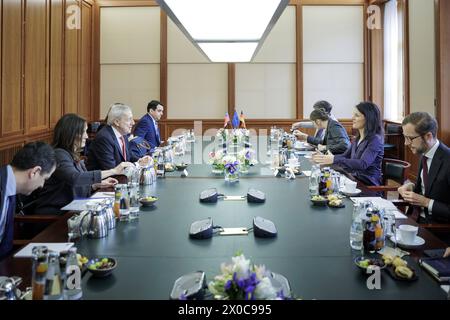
[129, 57]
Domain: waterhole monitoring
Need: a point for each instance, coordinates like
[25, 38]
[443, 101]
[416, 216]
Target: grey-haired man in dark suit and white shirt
[110, 146]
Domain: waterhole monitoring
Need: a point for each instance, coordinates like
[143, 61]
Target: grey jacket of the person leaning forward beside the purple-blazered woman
[336, 138]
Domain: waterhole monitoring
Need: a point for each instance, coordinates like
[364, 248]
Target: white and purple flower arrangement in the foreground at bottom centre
[242, 280]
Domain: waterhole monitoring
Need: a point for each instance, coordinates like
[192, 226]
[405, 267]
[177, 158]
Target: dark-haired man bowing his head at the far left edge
[29, 169]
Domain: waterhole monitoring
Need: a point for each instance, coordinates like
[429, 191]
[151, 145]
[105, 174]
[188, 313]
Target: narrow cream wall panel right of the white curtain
[422, 56]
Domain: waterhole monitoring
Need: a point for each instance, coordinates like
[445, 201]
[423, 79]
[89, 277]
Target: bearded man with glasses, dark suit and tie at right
[430, 193]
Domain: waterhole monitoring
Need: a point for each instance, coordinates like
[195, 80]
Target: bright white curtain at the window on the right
[393, 62]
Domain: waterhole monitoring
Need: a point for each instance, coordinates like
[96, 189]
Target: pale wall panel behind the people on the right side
[333, 57]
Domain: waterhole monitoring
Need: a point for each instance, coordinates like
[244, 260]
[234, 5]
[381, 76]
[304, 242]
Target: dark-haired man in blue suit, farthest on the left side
[147, 127]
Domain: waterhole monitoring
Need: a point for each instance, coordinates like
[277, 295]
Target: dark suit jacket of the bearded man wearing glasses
[438, 184]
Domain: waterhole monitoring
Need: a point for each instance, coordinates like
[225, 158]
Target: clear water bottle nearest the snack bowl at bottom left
[72, 284]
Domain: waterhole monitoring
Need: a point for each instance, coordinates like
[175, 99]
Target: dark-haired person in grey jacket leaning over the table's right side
[336, 139]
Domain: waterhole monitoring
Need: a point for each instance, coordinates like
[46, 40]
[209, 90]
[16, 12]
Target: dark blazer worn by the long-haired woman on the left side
[69, 181]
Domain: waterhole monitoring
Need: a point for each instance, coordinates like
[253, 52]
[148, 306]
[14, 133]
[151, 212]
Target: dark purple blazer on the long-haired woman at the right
[363, 161]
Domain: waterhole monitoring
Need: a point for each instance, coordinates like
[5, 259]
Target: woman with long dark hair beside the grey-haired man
[71, 179]
